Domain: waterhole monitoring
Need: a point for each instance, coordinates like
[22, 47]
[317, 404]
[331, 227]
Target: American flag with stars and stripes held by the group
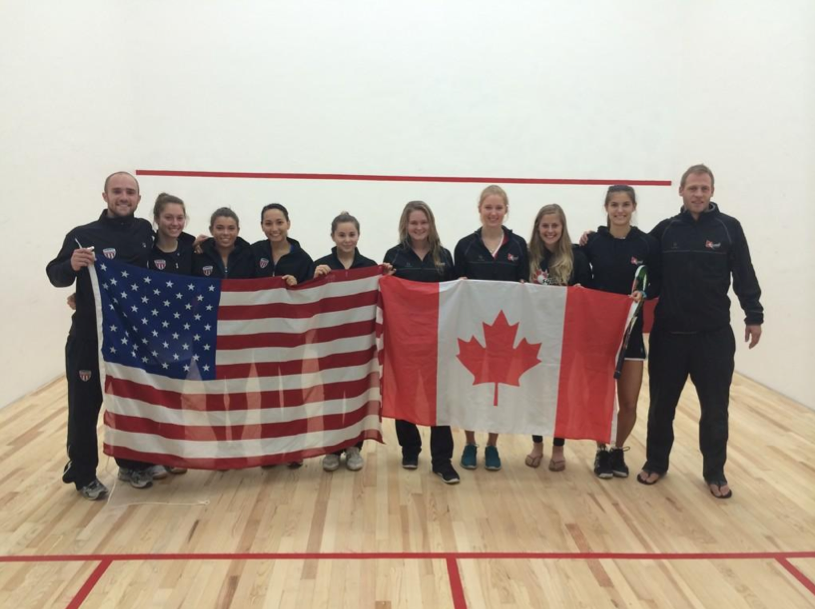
[221, 374]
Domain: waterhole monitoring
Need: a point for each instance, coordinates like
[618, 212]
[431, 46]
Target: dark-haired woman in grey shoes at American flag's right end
[344, 256]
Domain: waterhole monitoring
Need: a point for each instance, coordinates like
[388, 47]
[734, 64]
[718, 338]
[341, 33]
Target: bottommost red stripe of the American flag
[236, 462]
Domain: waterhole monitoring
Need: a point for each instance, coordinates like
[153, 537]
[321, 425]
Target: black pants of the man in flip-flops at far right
[708, 358]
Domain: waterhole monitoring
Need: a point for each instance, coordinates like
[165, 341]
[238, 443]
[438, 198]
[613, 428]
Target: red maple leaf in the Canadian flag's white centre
[499, 361]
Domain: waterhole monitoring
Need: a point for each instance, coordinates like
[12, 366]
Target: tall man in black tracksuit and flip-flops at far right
[701, 248]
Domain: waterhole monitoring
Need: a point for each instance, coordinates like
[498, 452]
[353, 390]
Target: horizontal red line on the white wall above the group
[390, 178]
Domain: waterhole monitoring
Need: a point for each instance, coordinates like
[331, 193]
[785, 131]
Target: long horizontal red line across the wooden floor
[414, 556]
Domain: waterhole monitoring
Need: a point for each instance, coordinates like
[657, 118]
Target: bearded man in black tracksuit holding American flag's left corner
[117, 234]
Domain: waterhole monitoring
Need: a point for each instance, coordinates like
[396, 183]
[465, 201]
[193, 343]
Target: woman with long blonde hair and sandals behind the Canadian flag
[553, 261]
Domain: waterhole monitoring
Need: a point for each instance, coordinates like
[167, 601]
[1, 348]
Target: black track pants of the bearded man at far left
[84, 403]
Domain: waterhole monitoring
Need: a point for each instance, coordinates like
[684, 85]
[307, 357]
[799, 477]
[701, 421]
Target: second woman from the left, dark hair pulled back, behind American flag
[225, 255]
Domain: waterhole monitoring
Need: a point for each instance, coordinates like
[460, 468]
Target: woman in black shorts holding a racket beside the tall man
[615, 252]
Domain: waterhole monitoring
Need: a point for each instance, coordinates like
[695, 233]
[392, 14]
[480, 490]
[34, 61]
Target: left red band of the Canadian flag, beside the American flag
[411, 323]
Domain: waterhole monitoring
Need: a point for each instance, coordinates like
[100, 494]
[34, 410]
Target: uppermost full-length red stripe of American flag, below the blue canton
[239, 401]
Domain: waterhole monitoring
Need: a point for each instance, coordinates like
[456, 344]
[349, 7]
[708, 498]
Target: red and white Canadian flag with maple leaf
[502, 357]
